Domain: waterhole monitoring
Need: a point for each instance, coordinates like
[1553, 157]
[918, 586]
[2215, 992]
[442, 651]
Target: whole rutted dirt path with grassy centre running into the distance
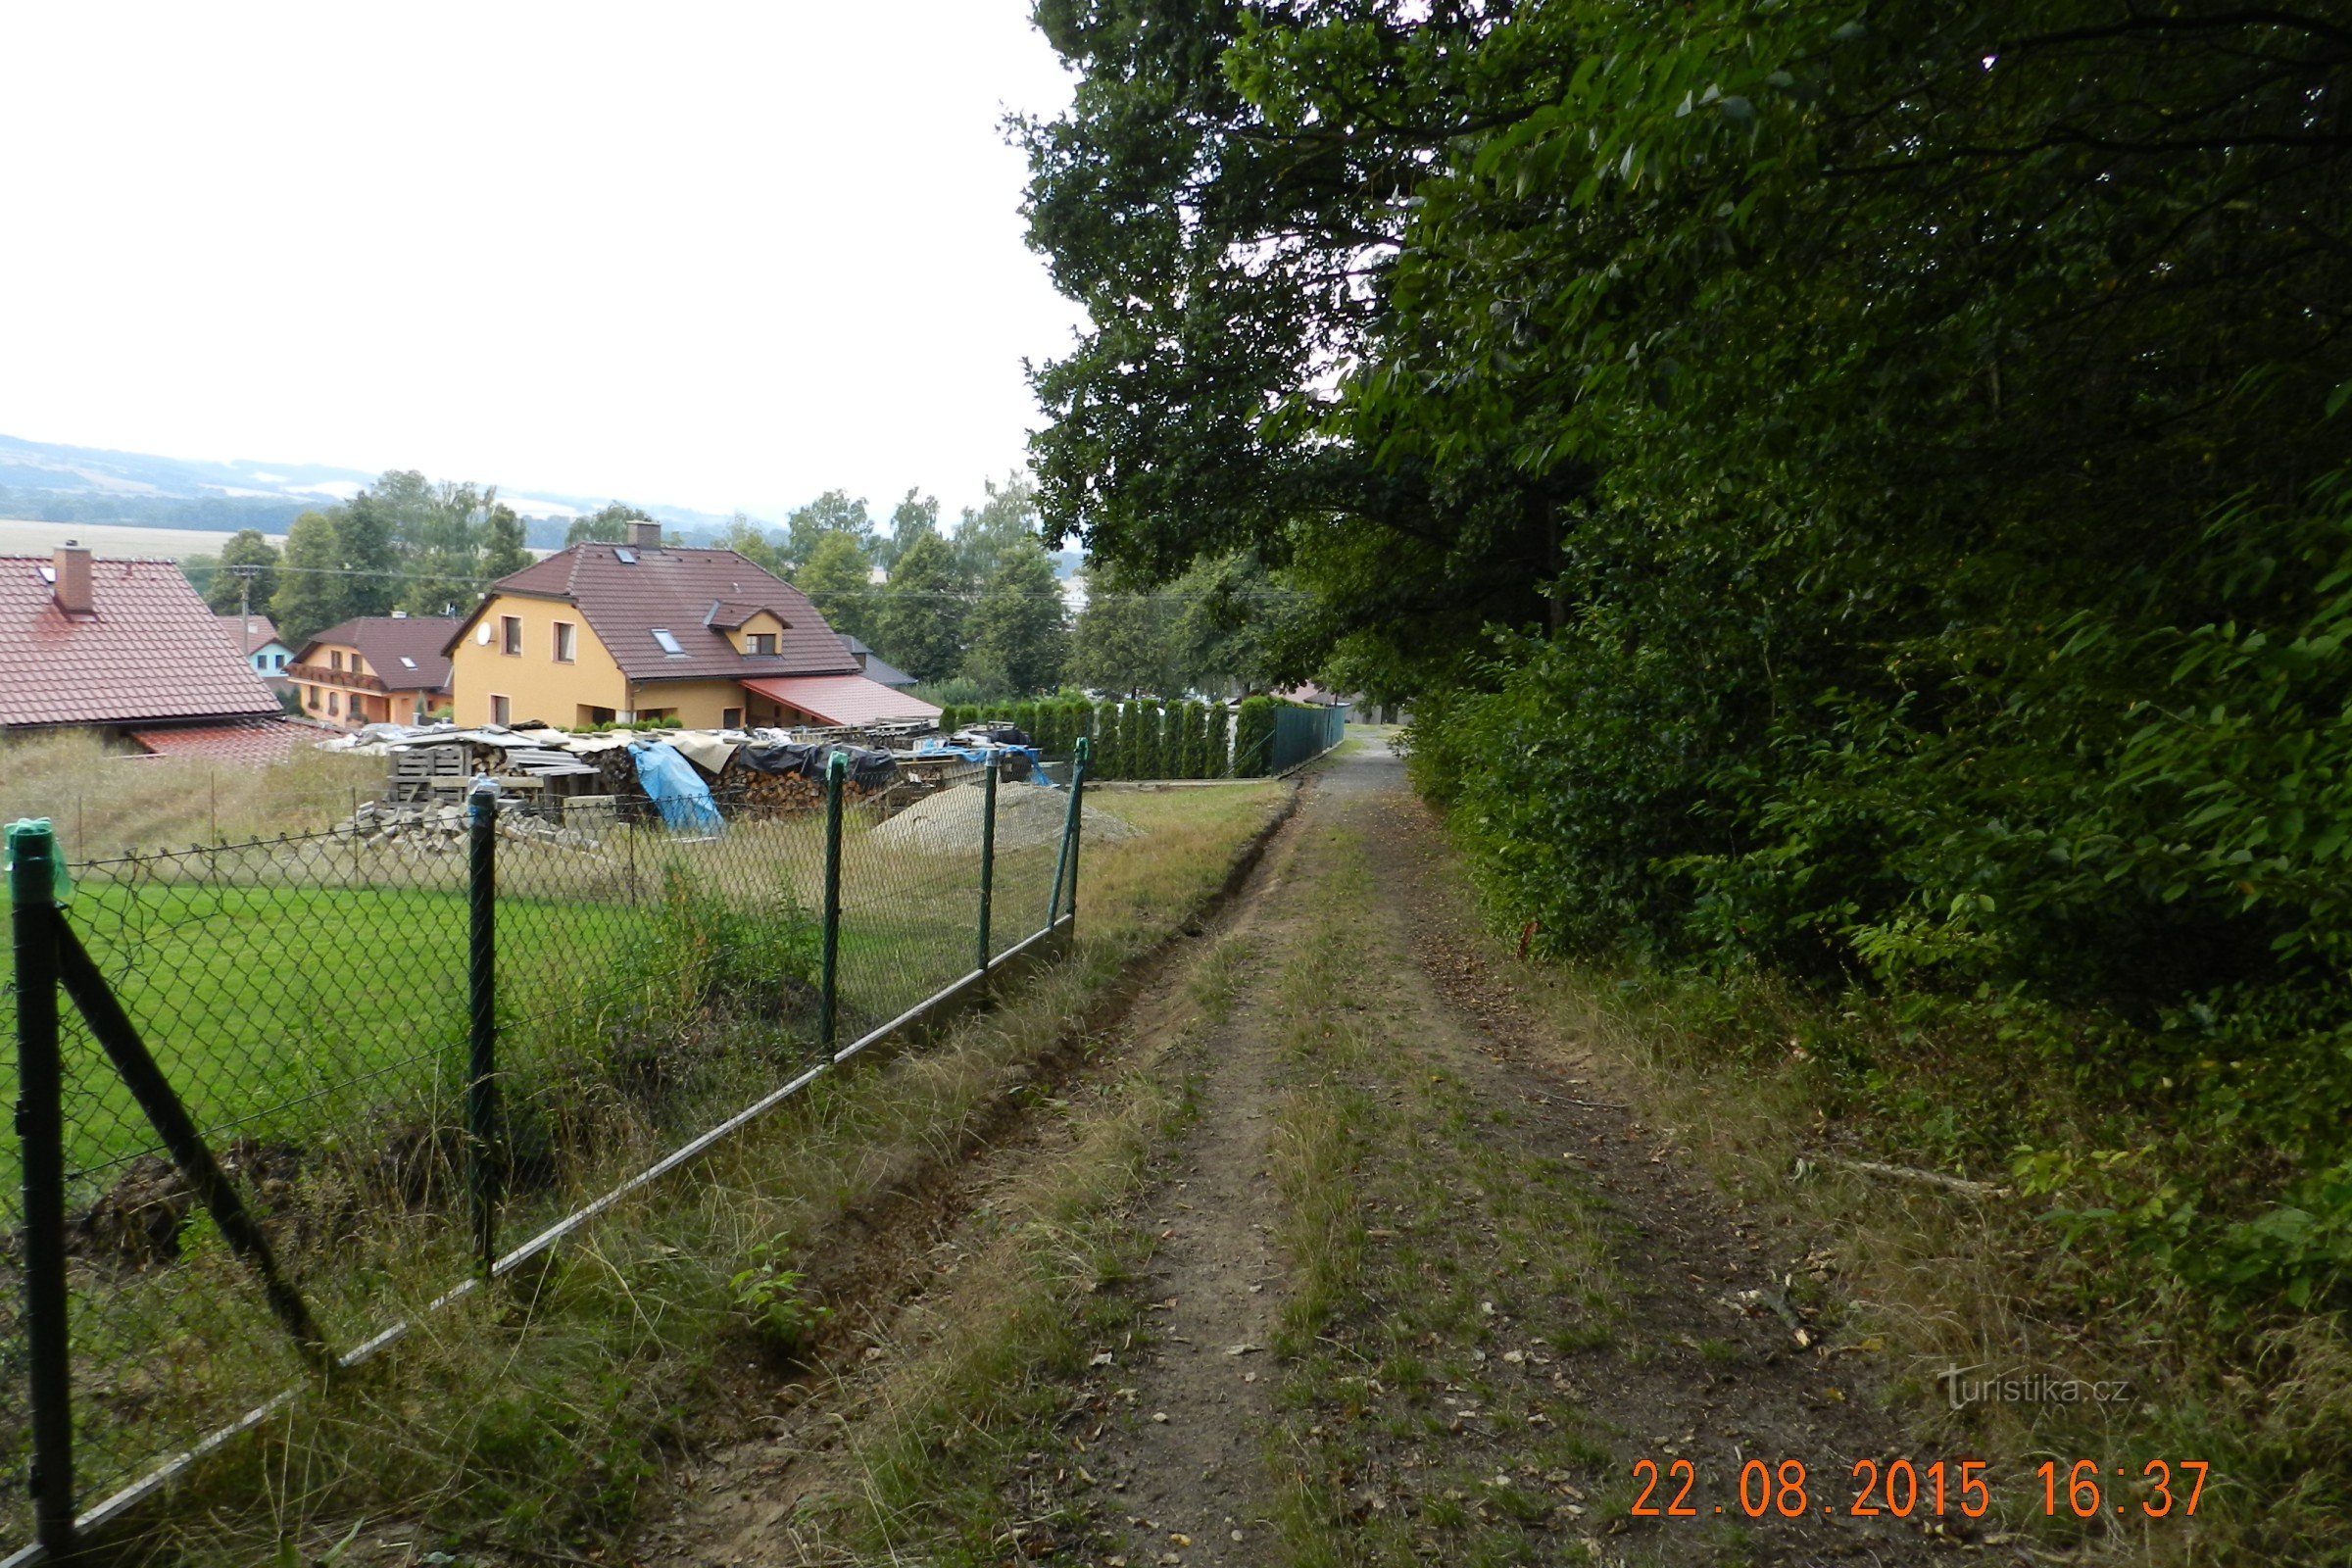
[1396, 1280]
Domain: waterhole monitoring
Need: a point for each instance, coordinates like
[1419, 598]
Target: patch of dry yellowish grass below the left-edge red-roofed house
[109, 800]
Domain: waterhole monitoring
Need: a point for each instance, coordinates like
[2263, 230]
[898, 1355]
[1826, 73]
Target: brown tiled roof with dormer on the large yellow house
[676, 591]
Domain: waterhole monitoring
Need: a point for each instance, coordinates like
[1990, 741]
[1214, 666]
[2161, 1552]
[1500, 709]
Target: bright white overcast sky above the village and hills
[697, 255]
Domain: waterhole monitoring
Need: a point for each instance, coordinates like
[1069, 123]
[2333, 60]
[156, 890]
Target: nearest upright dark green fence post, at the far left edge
[41, 1134]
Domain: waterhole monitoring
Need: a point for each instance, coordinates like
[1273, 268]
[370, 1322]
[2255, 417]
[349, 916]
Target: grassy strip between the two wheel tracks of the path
[1443, 1285]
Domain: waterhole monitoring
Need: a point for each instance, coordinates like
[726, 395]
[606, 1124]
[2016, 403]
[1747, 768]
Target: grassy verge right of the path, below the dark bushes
[1779, 1092]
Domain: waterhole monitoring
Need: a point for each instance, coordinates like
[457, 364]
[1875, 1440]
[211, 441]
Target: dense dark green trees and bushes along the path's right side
[1857, 497]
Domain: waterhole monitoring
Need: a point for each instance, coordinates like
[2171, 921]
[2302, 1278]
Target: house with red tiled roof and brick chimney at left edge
[126, 648]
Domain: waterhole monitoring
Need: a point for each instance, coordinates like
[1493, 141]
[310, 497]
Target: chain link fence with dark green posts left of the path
[281, 1097]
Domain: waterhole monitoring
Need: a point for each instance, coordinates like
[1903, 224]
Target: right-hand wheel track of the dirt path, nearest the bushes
[1706, 1360]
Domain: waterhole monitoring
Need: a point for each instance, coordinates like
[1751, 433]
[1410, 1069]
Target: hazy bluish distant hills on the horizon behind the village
[51, 483]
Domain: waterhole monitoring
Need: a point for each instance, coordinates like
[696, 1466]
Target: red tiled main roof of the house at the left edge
[149, 650]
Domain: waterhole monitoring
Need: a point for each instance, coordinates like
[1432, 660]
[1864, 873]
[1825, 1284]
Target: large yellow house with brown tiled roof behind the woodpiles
[700, 638]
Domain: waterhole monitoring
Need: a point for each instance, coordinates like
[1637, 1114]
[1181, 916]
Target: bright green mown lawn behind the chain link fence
[326, 989]
